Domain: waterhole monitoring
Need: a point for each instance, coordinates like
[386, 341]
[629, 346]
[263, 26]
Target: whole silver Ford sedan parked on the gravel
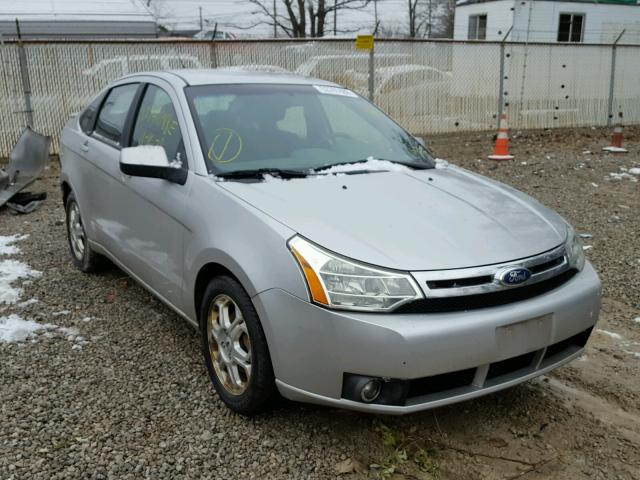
[320, 249]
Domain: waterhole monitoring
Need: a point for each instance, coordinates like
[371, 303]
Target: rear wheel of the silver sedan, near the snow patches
[82, 256]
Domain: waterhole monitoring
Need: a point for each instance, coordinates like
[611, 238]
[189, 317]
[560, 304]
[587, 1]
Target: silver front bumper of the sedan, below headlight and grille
[312, 348]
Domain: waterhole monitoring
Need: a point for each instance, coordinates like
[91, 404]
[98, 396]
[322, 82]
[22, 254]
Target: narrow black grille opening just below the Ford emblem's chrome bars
[485, 300]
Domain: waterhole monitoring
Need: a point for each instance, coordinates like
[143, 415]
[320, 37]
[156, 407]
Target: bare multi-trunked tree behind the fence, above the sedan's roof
[302, 18]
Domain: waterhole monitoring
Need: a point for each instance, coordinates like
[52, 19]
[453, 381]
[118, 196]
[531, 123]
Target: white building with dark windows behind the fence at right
[584, 21]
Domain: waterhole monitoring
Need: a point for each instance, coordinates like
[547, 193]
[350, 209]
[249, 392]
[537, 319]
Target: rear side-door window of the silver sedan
[113, 114]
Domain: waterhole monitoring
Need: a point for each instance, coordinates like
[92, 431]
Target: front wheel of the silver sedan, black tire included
[225, 353]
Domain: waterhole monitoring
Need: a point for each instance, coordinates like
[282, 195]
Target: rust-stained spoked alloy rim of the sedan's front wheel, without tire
[229, 345]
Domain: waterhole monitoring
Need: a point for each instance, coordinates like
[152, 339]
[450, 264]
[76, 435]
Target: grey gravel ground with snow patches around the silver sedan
[120, 391]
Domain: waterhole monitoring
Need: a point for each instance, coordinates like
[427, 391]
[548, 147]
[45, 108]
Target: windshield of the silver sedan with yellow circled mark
[295, 127]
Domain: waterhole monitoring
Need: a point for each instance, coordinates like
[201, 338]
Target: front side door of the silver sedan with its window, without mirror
[153, 209]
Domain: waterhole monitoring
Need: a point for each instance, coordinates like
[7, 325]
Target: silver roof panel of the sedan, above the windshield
[210, 76]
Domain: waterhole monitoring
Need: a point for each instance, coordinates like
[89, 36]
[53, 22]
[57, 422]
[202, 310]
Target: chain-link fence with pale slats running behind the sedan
[427, 86]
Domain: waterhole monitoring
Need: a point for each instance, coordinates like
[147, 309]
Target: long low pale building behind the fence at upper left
[72, 19]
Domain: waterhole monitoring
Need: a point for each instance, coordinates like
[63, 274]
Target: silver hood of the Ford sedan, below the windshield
[410, 220]
